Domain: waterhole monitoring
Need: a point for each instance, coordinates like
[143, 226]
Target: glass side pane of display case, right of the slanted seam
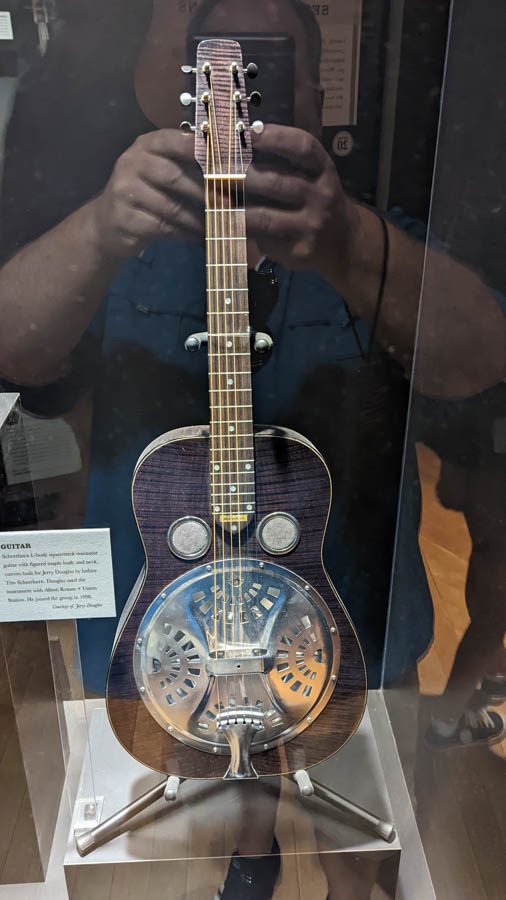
[444, 674]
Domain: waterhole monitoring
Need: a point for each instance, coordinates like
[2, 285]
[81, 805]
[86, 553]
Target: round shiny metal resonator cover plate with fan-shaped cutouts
[239, 635]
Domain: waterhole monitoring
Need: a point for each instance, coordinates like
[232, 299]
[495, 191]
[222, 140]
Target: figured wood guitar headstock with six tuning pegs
[222, 124]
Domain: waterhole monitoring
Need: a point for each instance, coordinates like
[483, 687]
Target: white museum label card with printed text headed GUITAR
[60, 574]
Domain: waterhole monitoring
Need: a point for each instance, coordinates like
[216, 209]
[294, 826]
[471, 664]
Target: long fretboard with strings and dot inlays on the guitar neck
[231, 439]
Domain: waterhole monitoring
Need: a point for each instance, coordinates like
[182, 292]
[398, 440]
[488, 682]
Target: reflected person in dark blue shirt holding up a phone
[124, 264]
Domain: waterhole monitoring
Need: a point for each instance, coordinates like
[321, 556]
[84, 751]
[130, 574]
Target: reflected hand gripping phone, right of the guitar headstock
[297, 210]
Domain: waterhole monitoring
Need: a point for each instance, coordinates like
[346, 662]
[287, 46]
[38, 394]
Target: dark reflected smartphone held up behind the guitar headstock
[274, 55]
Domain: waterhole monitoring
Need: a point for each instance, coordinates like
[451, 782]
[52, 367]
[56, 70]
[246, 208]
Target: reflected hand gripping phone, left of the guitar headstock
[155, 191]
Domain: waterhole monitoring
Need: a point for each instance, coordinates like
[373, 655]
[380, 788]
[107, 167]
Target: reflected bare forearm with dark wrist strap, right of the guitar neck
[461, 346]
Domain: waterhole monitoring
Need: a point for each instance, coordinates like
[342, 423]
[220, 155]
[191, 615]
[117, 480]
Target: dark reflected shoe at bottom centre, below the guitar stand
[251, 877]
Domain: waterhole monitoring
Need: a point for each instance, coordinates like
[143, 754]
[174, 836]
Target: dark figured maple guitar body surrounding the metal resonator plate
[171, 482]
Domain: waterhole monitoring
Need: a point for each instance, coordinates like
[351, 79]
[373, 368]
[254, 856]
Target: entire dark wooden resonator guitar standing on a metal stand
[235, 656]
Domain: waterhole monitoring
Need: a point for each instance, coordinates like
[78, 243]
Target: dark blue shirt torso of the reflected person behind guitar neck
[314, 380]
